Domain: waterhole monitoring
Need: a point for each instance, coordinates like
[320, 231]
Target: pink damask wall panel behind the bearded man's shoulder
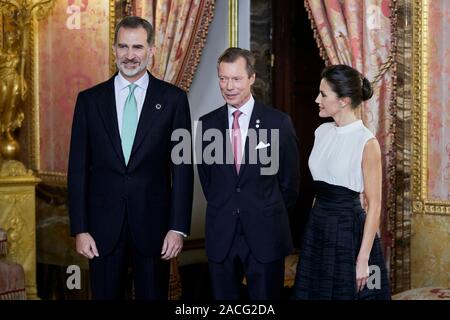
[73, 55]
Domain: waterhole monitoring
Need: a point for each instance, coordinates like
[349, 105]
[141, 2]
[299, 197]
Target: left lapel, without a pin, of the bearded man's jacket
[108, 113]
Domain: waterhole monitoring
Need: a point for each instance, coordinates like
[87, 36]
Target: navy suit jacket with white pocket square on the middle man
[259, 201]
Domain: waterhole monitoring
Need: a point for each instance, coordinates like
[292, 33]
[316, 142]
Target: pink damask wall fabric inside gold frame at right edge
[439, 101]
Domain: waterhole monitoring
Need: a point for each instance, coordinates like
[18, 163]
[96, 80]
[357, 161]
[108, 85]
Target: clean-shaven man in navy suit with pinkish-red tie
[247, 225]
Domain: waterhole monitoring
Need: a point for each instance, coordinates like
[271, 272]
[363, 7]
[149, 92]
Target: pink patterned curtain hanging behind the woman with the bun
[359, 34]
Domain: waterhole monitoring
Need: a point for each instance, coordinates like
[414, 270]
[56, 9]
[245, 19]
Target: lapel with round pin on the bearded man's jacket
[153, 105]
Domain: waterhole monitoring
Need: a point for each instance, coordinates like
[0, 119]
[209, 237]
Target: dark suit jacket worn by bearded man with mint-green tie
[155, 194]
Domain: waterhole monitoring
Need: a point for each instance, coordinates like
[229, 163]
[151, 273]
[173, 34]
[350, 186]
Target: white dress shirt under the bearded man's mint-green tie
[122, 91]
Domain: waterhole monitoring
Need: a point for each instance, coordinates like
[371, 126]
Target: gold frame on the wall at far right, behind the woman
[422, 203]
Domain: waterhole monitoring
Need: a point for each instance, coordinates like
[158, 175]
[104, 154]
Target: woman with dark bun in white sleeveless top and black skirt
[341, 241]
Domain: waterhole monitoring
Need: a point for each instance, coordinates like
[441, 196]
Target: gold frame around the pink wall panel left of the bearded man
[58, 179]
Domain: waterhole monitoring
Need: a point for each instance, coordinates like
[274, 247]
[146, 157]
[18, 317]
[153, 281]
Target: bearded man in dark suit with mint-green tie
[127, 199]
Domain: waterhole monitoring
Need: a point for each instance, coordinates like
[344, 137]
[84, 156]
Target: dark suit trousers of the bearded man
[108, 274]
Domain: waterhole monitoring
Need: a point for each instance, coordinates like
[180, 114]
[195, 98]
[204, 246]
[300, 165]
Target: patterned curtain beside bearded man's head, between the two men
[181, 27]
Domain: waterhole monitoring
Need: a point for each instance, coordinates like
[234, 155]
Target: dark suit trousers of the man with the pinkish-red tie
[264, 280]
